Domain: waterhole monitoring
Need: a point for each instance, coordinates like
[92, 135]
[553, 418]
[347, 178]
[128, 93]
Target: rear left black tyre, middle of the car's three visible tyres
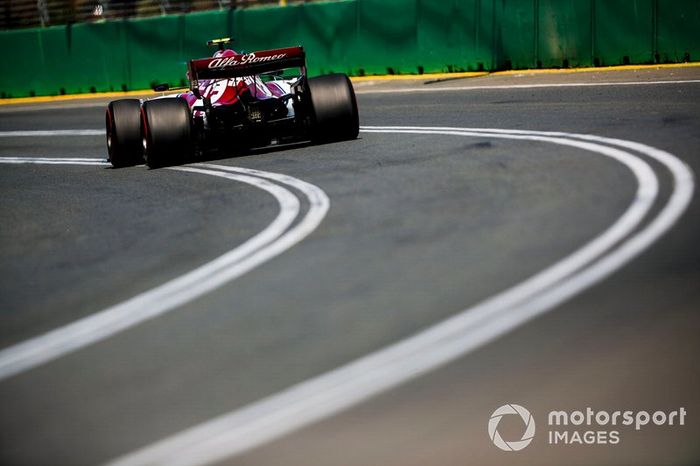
[167, 132]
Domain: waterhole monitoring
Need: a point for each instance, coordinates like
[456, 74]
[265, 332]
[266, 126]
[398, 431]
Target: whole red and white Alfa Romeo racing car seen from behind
[234, 101]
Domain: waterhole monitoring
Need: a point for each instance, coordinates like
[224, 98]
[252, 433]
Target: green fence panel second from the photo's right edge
[623, 32]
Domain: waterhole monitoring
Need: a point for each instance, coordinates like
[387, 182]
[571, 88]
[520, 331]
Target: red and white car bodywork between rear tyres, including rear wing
[236, 96]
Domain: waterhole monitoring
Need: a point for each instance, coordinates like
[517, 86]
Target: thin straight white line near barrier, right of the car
[409, 90]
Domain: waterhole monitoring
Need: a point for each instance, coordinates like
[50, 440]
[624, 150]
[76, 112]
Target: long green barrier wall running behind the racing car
[358, 37]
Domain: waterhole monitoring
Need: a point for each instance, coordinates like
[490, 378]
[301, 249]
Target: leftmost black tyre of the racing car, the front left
[124, 135]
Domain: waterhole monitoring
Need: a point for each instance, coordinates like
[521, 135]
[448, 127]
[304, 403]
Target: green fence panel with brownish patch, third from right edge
[564, 33]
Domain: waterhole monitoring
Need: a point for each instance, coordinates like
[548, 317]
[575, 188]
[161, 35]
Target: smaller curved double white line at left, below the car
[273, 240]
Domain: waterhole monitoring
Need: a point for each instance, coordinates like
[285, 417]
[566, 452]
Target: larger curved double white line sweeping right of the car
[330, 393]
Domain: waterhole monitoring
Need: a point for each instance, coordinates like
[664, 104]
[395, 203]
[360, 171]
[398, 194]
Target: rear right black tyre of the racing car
[335, 108]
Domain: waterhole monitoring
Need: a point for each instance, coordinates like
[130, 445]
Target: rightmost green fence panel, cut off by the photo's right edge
[678, 31]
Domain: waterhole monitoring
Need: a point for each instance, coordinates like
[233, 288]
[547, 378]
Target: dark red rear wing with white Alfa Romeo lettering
[247, 64]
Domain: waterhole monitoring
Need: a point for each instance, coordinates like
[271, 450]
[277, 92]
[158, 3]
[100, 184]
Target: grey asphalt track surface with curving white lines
[370, 242]
